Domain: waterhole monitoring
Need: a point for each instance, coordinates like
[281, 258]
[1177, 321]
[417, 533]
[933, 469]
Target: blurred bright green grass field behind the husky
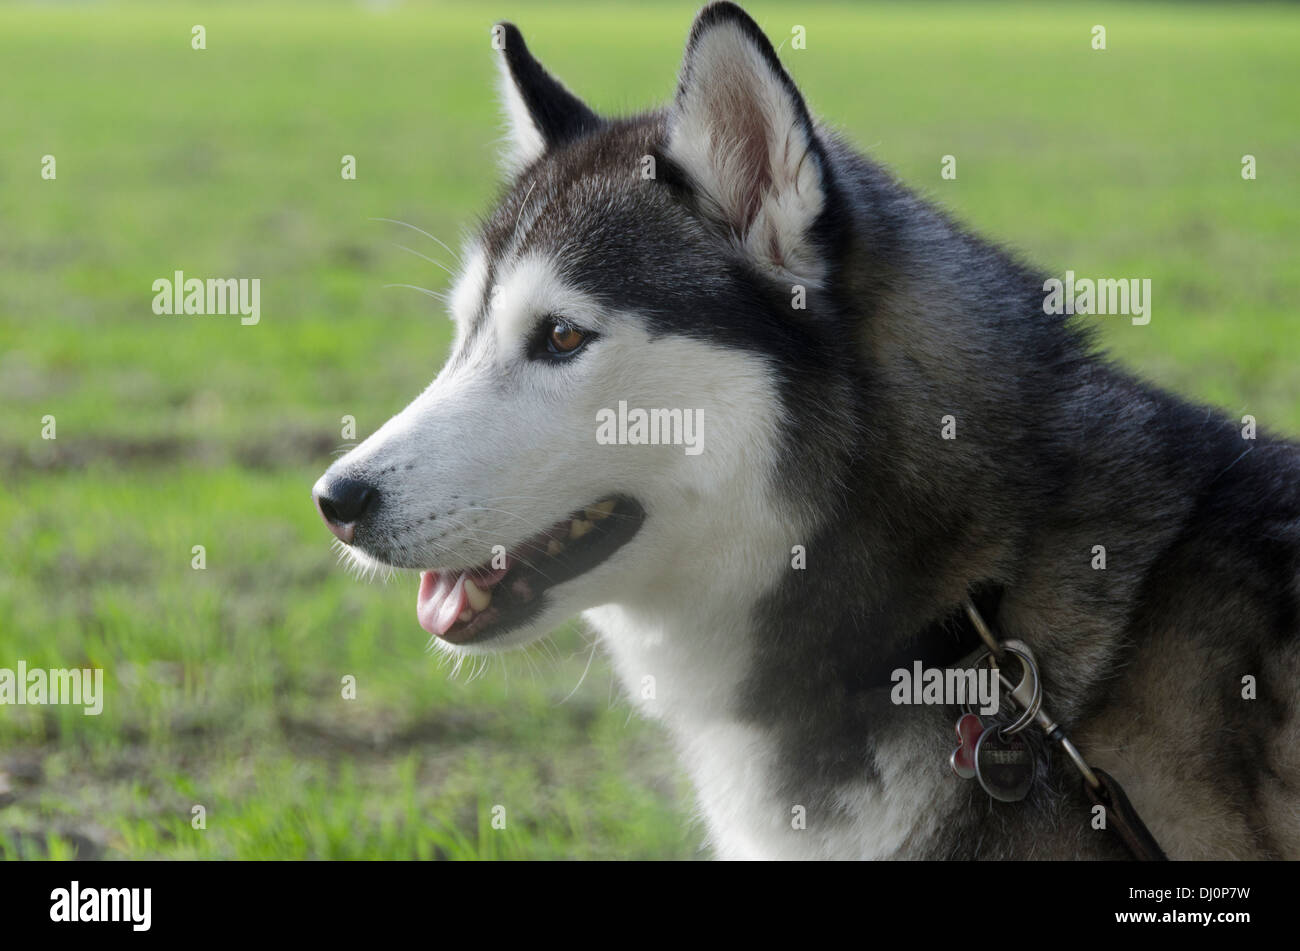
[224, 684]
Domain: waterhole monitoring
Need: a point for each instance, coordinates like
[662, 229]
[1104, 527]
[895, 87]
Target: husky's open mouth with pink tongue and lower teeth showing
[462, 606]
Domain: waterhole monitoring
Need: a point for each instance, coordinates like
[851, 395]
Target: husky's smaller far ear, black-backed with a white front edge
[541, 112]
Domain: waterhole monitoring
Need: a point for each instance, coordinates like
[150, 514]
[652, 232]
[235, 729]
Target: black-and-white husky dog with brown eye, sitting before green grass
[731, 260]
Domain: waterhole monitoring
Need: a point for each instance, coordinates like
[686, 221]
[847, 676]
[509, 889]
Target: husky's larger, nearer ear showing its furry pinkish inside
[743, 136]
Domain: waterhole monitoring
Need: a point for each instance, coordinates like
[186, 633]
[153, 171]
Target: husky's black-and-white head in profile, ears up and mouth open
[630, 325]
